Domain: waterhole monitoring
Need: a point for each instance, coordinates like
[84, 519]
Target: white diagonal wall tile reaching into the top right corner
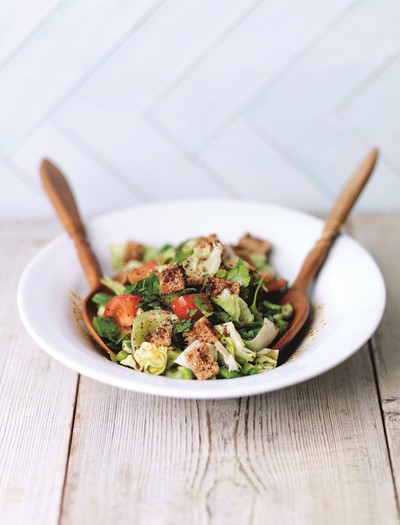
[330, 71]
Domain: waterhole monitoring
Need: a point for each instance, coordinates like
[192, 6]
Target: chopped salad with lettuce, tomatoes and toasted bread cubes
[201, 310]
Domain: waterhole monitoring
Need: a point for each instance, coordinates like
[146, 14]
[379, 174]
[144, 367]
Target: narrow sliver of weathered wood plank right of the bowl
[381, 236]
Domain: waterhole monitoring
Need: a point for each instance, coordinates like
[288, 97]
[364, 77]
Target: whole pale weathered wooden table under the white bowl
[73, 451]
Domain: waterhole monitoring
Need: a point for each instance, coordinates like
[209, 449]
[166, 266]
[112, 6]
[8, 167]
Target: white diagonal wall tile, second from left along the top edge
[150, 59]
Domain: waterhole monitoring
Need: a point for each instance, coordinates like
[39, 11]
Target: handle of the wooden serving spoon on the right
[336, 218]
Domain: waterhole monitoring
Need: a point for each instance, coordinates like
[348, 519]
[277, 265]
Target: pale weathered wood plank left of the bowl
[36, 397]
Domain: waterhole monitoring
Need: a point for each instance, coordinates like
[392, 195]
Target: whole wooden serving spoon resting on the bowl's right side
[297, 293]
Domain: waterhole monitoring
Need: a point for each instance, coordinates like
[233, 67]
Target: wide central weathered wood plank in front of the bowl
[314, 453]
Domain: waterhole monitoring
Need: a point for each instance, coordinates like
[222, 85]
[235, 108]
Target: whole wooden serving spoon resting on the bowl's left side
[63, 201]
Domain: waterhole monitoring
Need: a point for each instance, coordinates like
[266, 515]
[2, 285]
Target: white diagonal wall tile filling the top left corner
[56, 58]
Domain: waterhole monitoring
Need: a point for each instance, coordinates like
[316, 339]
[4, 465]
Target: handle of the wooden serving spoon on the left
[60, 194]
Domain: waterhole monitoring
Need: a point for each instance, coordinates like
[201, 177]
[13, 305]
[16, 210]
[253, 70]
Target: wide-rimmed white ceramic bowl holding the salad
[348, 296]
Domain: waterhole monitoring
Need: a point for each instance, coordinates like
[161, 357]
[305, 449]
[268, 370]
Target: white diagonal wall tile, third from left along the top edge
[250, 56]
